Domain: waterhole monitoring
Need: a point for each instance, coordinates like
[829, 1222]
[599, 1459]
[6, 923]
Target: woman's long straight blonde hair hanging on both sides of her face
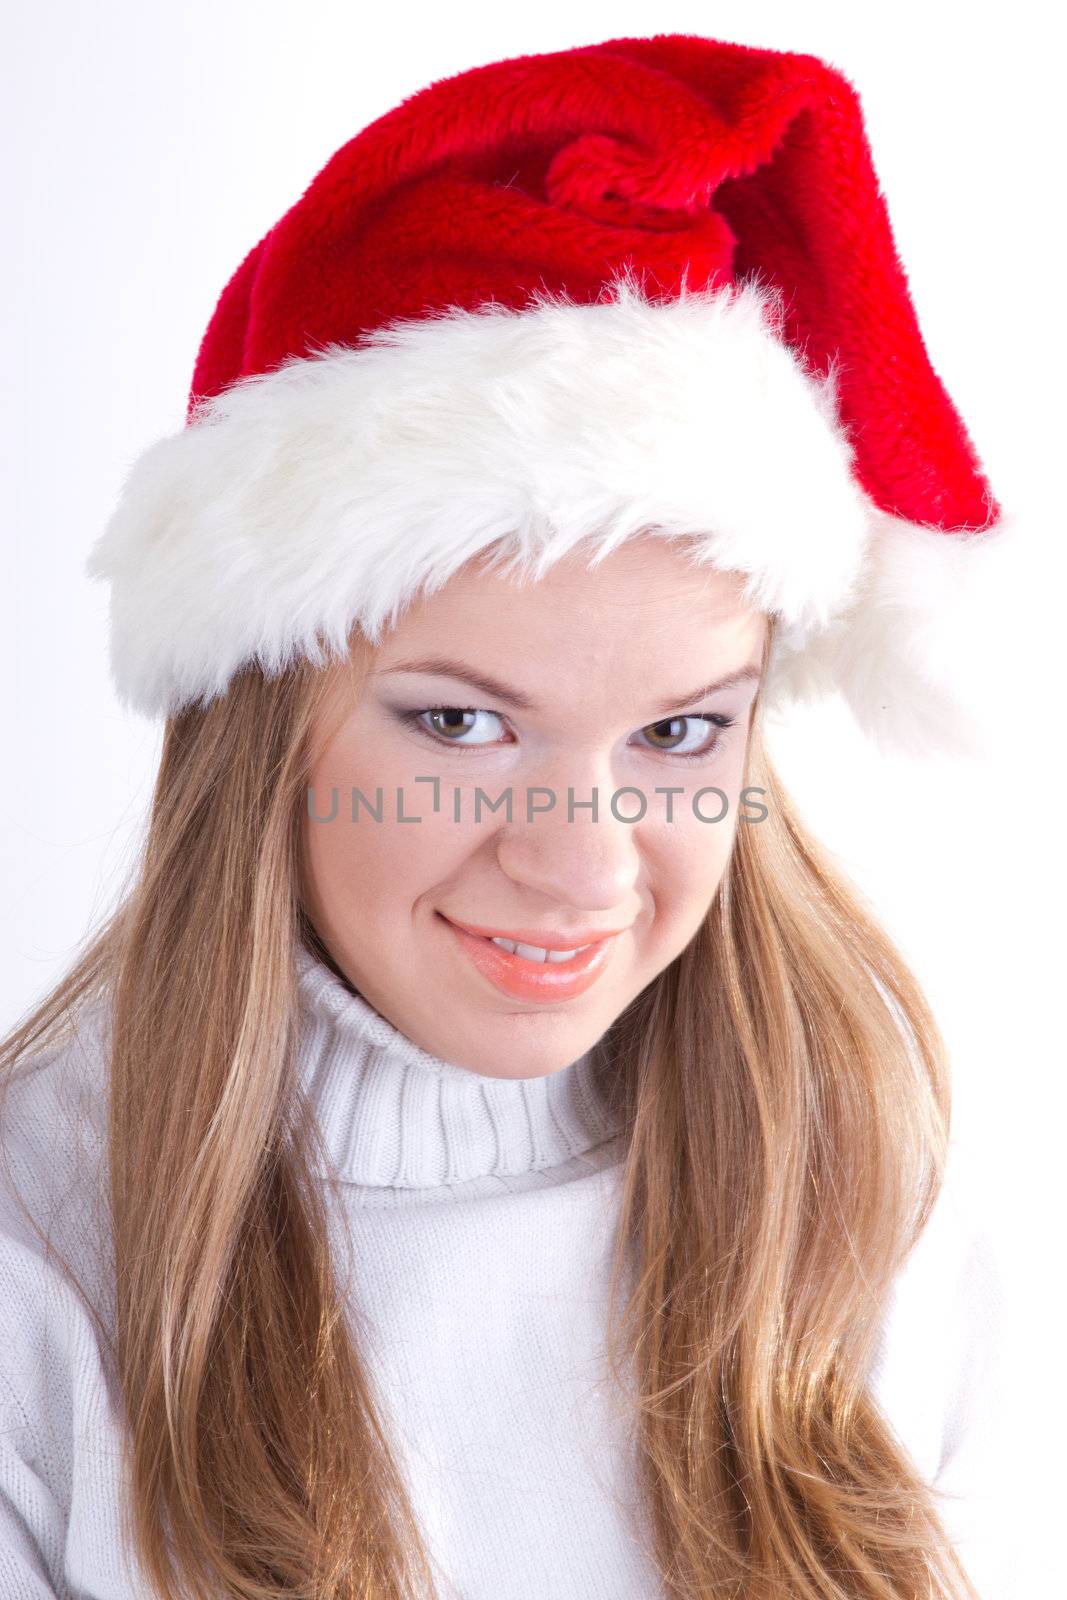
[788, 1100]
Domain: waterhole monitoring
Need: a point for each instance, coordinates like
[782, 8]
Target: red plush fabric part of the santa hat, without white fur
[687, 161]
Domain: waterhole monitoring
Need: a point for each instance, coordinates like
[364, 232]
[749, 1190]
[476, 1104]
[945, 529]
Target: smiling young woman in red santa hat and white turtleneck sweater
[492, 1151]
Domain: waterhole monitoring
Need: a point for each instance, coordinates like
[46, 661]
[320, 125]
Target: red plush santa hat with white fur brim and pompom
[645, 286]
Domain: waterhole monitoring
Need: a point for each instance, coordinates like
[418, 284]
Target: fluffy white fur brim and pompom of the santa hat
[330, 492]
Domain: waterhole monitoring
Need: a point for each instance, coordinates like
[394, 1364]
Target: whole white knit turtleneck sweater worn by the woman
[482, 1215]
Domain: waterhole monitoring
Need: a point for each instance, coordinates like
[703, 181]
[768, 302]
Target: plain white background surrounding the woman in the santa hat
[146, 150]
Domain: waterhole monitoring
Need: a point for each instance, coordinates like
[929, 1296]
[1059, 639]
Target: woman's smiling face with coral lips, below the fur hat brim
[541, 697]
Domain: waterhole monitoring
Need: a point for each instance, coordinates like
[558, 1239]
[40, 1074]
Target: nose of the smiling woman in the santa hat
[569, 857]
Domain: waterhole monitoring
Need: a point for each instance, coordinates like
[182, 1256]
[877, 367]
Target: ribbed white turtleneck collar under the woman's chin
[398, 1118]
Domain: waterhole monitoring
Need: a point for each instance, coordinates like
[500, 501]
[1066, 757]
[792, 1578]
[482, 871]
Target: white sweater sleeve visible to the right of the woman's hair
[940, 1380]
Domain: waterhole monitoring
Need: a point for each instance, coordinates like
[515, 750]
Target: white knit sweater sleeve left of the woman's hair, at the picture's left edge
[60, 1436]
